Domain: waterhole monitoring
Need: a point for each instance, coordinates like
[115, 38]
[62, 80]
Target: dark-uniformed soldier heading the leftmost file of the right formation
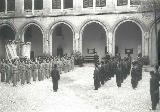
[96, 78]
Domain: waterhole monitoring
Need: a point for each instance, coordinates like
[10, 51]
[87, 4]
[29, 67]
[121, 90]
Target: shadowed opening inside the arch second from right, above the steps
[94, 39]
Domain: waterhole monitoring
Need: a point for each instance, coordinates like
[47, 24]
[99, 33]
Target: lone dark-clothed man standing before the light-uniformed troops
[55, 77]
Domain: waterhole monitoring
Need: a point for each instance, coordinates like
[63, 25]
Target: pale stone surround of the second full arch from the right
[104, 26]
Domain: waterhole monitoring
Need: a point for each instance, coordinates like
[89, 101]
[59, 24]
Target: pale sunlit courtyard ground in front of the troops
[76, 94]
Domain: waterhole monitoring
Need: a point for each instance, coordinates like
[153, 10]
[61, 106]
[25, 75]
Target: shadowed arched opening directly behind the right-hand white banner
[34, 35]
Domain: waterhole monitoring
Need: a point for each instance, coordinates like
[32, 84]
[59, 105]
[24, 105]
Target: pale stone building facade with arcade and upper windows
[78, 25]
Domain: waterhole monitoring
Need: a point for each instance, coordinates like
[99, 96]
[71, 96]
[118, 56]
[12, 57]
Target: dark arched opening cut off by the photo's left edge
[6, 33]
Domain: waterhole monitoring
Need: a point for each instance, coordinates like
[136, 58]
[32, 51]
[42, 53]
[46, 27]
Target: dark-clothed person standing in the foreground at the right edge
[154, 90]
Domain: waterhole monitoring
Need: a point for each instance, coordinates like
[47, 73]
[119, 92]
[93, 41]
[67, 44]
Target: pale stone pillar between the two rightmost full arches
[110, 45]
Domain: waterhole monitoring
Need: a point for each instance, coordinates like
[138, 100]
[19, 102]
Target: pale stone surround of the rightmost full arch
[139, 23]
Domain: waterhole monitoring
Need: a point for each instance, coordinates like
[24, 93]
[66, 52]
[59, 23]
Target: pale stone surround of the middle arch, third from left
[51, 29]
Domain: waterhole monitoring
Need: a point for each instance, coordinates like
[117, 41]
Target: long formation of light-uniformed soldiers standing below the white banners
[25, 70]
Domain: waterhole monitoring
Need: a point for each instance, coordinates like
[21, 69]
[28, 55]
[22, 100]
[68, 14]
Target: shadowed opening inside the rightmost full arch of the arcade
[128, 38]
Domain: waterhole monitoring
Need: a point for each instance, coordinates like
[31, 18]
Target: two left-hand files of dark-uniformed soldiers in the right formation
[111, 67]
